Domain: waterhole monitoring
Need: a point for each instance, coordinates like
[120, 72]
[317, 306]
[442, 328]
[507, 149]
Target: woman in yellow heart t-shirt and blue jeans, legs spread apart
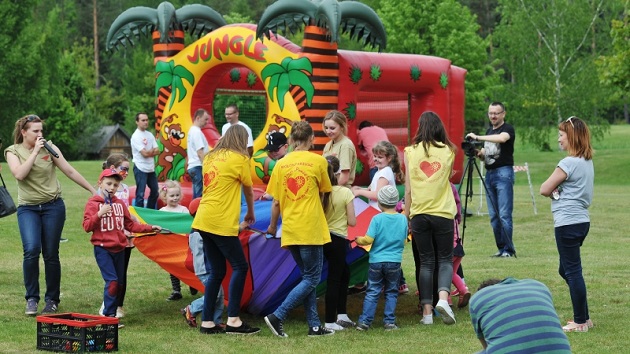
[295, 185]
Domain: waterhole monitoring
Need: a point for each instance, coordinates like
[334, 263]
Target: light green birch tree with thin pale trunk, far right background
[549, 60]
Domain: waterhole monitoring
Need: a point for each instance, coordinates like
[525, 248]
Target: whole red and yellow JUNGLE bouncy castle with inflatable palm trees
[389, 90]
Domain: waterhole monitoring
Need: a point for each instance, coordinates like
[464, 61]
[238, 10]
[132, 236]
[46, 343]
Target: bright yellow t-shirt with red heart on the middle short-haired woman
[296, 181]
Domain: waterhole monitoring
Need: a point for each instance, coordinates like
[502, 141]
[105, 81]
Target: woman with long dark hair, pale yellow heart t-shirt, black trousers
[430, 204]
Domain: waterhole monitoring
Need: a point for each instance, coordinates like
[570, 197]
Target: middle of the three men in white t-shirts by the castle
[197, 147]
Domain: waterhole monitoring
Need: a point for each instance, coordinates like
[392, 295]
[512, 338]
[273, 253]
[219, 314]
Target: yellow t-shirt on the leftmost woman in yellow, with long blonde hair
[219, 210]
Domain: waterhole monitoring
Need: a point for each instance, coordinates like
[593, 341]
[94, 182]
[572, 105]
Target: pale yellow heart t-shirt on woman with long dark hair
[431, 191]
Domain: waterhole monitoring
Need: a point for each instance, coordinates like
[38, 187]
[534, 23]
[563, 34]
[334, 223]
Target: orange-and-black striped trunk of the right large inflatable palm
[323, 56]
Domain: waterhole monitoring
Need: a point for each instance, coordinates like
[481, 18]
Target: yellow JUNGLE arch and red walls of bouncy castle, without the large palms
[391, 90]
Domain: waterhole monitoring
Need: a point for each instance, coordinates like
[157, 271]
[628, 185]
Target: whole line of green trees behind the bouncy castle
[546, 60]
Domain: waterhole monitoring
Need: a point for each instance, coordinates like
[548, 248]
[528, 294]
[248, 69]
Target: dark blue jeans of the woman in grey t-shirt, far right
[569, 239]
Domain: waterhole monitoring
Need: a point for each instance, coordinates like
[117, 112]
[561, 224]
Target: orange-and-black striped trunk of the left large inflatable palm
[162, 51]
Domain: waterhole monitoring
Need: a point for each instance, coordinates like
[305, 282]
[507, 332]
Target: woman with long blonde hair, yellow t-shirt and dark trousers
[225, 172]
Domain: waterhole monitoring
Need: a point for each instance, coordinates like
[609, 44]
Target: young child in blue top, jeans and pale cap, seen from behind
[387, 233]
